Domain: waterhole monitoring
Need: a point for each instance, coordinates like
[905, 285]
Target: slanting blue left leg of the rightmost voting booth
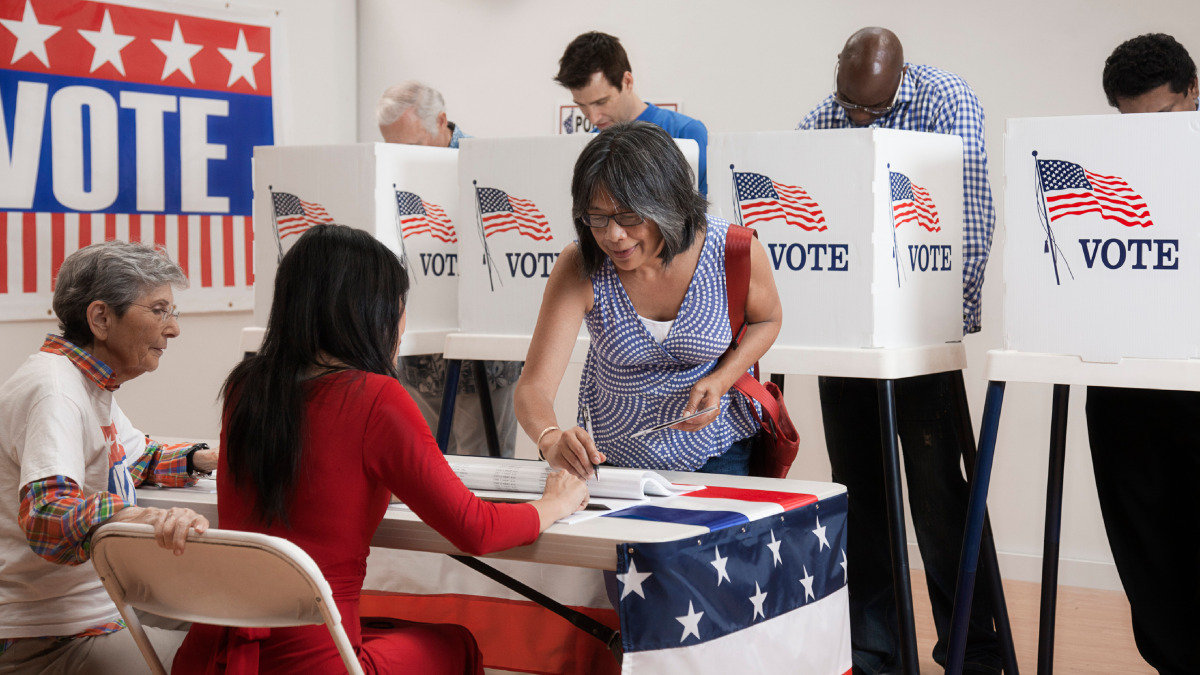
[977, 509]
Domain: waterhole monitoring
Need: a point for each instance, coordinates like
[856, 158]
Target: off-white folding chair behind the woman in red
[225, 578]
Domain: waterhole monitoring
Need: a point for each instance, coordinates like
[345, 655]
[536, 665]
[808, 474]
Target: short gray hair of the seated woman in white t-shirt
[117, 273]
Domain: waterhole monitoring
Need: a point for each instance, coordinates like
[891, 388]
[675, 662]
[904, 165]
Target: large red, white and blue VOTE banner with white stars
[129, 123]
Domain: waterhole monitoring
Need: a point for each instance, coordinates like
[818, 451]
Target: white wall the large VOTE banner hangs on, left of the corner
[181, 398]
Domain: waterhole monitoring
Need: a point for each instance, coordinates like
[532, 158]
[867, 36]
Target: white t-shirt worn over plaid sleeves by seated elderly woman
[56, 421]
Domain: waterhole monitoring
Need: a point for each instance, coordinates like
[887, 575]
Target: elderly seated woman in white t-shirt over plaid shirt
[70, 461]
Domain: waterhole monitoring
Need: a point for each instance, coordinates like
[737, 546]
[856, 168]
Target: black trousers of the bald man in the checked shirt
[938, 497]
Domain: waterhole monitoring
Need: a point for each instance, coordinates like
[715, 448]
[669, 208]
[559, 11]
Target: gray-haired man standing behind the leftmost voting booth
[415, 115]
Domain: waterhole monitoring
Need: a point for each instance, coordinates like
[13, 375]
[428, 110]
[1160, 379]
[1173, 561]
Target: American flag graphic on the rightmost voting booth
[1071, 190]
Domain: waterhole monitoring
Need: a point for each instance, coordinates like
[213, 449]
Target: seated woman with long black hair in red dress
[317, 433]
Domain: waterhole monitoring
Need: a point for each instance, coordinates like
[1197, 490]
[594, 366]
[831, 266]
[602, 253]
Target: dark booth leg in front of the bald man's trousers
[901, 572]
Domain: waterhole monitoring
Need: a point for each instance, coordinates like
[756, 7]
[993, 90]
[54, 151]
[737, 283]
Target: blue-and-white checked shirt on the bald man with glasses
[941, 103]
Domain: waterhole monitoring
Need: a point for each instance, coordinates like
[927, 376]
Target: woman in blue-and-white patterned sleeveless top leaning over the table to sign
[647, 276]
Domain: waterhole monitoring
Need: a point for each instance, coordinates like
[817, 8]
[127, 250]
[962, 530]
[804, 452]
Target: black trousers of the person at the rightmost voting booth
[1147, 457]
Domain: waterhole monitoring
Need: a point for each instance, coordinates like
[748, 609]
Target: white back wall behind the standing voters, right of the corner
[763, 65]
